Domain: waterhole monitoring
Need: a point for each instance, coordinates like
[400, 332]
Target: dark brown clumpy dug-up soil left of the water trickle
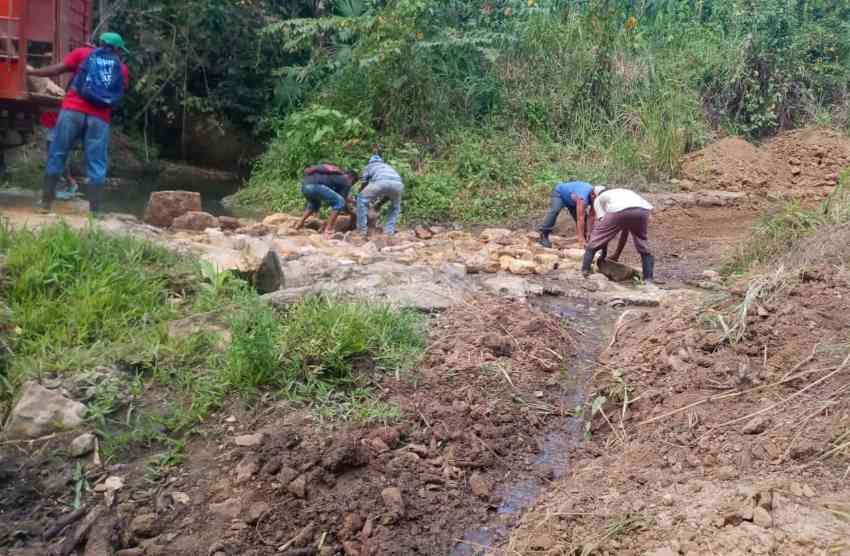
[492, 384]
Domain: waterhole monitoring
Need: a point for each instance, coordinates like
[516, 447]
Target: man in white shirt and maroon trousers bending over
[620, 211]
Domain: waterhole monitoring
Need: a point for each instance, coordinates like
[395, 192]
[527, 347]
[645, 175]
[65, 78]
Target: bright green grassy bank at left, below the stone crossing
[93, 310]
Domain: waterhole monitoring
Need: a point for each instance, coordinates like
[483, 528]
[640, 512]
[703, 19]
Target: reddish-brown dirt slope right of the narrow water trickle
[719, 428]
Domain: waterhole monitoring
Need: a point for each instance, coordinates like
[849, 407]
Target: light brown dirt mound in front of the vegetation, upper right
[798, 160]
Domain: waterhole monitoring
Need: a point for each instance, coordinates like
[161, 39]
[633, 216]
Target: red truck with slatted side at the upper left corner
[35, 33]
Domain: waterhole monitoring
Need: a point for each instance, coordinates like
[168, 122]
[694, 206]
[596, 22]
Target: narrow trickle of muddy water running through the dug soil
[590, 325]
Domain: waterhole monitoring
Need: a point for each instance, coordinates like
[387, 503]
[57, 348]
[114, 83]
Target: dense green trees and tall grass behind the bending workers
[484, 103]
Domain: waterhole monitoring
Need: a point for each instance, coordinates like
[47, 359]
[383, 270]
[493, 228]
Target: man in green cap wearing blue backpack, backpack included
[100, 79]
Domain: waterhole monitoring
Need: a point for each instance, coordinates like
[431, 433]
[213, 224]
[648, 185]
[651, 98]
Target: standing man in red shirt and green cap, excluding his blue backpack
[81, 118]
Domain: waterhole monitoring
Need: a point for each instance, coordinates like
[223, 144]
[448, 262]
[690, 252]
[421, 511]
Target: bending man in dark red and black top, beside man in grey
[330, 185]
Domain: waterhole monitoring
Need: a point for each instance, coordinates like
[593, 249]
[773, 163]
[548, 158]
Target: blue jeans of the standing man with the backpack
[94, 132]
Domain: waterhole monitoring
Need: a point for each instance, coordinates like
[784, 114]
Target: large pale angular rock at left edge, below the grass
[40, 411]
